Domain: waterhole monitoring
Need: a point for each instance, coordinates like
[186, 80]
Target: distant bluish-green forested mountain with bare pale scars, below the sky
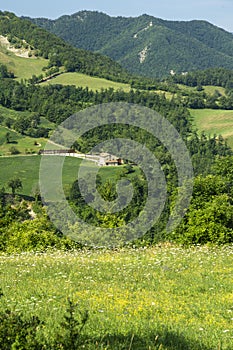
[147, 45]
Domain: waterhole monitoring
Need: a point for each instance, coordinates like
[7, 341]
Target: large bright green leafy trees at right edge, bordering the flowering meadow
[209, 218]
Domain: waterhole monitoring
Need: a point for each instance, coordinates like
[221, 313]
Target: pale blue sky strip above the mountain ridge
[218, 12]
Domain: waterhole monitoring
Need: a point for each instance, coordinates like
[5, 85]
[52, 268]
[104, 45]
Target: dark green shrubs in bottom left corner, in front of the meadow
[20, 333]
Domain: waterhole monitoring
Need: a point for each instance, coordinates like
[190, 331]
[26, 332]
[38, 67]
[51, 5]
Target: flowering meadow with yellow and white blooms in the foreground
[180, 298]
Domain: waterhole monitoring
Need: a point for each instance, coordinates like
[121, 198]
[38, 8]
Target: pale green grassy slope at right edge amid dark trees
[214, 121]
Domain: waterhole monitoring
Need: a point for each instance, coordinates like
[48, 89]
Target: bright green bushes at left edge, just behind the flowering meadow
[20, 232]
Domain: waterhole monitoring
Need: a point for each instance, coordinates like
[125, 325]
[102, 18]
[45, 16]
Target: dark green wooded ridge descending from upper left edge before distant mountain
[20, 32]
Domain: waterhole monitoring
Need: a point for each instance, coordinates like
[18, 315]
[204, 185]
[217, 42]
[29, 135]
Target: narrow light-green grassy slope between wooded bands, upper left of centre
[82, 80]
